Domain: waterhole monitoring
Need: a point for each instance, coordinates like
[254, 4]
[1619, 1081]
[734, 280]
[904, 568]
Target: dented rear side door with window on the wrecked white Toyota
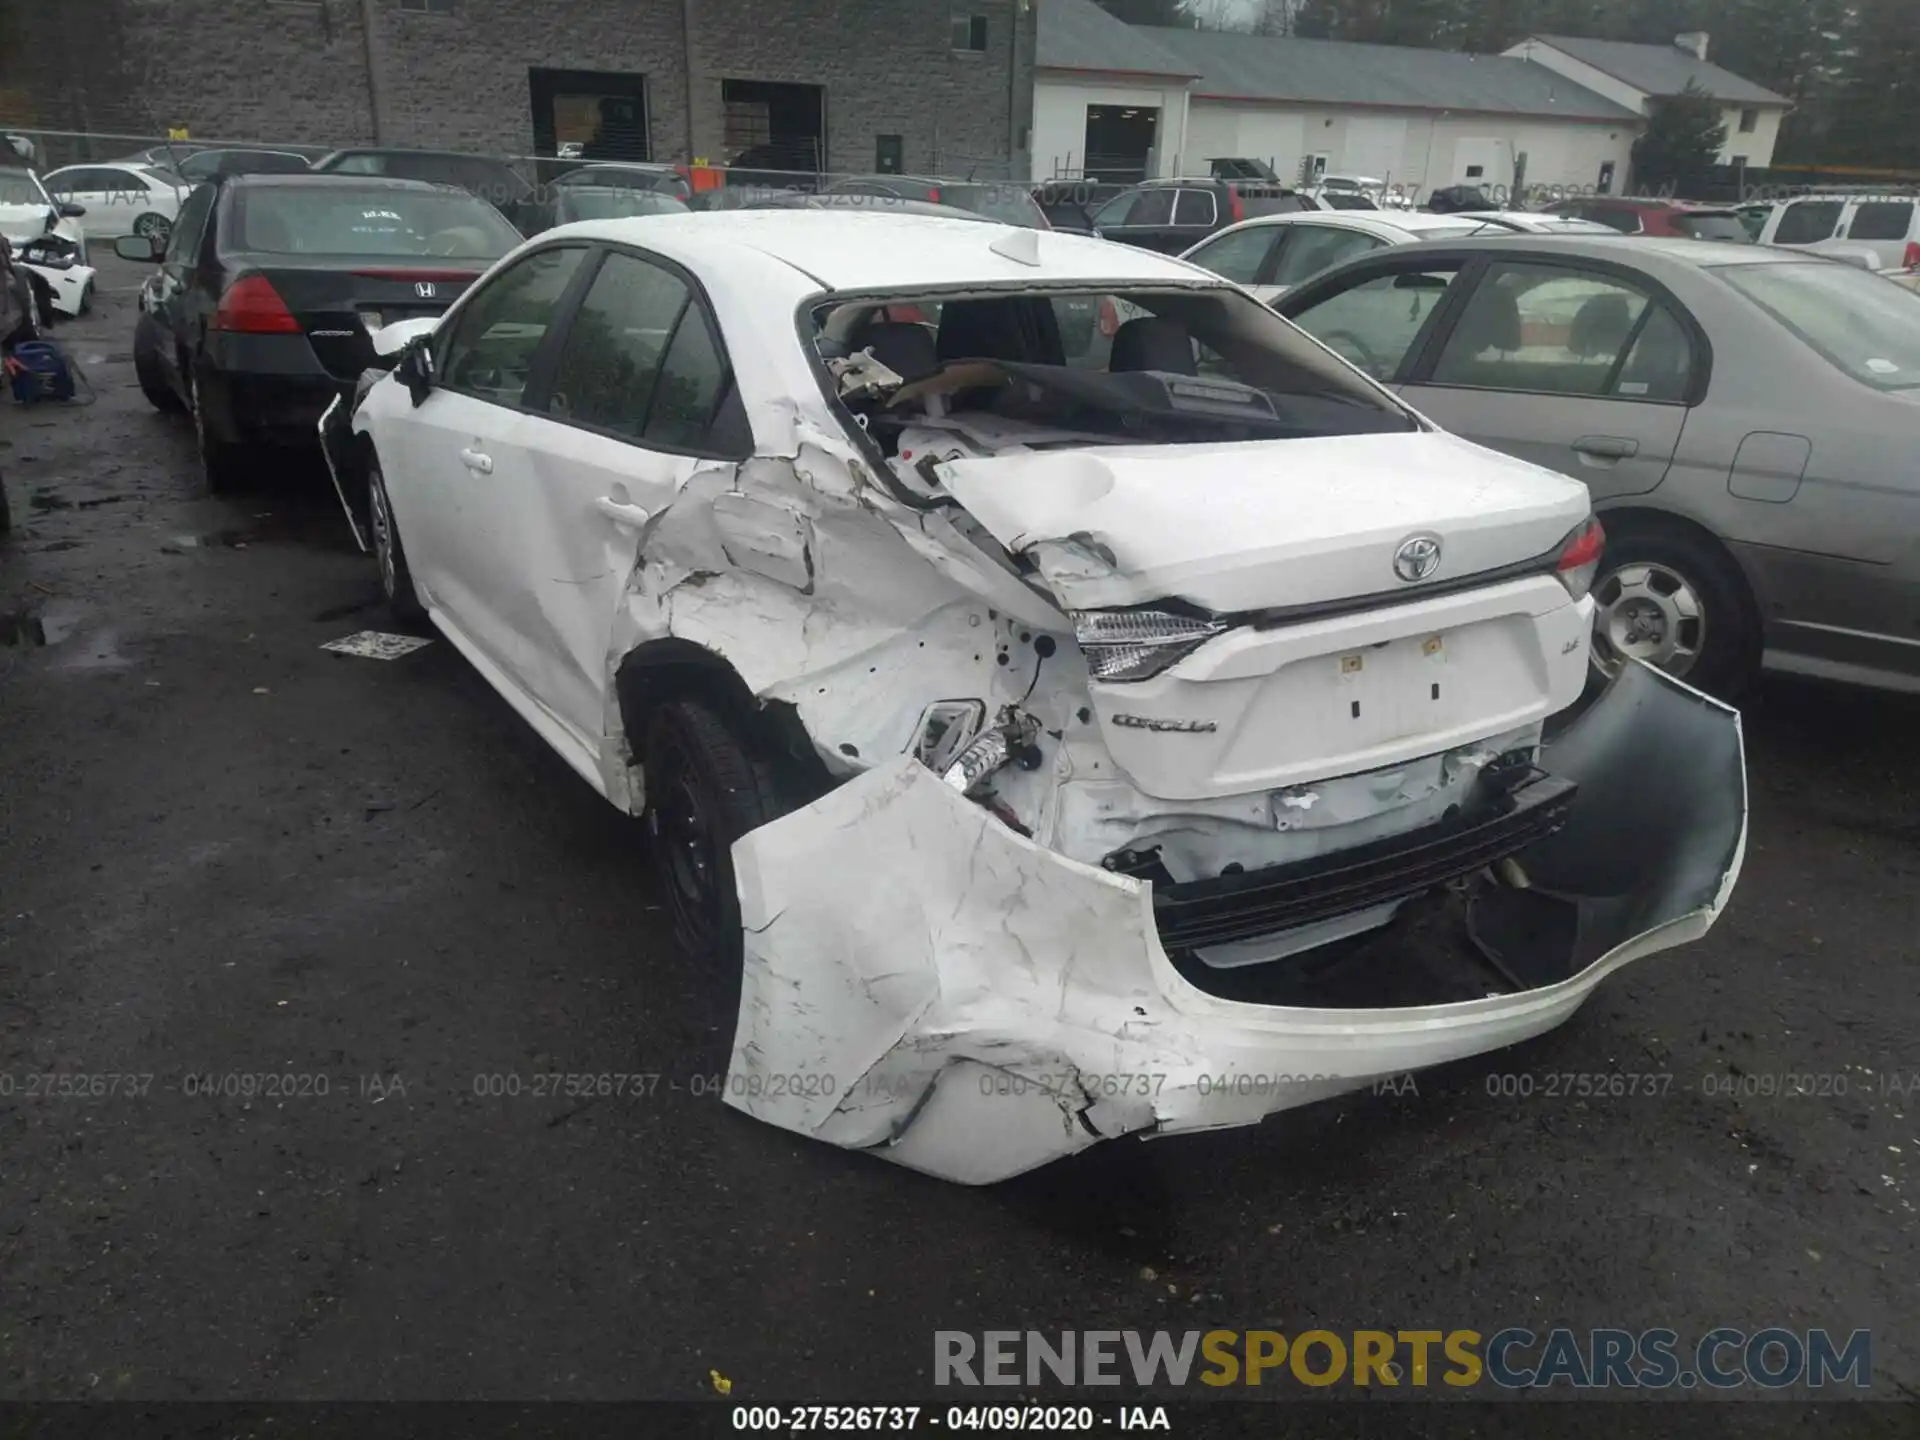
[640, 398]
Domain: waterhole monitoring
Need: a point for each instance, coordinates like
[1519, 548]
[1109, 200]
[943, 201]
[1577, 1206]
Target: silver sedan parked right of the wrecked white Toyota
[1748, 421]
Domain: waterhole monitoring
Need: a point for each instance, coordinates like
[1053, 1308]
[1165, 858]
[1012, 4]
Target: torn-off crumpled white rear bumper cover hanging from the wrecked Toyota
[926, 984]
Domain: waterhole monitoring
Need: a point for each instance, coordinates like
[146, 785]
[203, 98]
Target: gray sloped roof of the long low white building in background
[1378, 76]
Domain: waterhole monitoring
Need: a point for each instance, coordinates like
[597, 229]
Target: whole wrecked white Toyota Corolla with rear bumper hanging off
[1057, 732]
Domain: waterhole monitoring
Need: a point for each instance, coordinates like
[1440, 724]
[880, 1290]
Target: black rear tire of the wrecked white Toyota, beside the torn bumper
[706, 790]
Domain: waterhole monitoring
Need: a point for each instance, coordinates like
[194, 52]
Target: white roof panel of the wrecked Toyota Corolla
[857, 251]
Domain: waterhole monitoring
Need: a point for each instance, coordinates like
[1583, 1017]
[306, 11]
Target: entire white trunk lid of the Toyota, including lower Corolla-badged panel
[1399, 673]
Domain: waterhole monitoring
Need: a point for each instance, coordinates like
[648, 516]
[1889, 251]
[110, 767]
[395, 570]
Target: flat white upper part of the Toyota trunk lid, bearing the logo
[1264, 525]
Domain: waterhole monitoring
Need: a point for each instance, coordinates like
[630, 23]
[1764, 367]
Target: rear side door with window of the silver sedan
[1587, 372]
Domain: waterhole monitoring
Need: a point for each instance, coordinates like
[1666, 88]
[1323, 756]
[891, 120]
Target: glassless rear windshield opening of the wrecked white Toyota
[1090, 368]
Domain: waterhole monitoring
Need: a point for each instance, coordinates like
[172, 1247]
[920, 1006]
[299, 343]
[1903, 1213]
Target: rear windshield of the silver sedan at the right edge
[1854, 320]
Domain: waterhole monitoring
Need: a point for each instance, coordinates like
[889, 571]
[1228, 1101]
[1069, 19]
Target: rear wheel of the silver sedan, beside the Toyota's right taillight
[1675, 600]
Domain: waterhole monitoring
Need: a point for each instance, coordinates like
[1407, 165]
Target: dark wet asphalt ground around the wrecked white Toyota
[229, 853]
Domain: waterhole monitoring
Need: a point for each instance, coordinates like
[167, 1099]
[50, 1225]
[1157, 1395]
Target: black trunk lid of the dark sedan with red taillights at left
[339, 300]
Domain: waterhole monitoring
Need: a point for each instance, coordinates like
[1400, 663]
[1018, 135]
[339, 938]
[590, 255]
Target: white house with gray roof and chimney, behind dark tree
[1637, 76]
